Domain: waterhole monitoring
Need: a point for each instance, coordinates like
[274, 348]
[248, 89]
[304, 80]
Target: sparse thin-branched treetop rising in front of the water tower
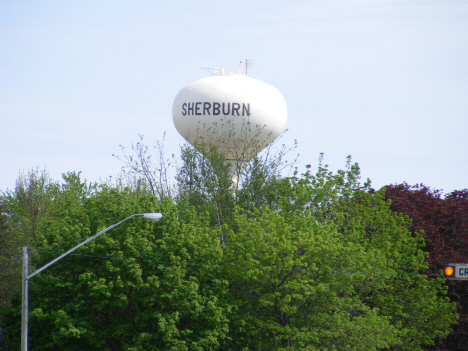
[204, 178]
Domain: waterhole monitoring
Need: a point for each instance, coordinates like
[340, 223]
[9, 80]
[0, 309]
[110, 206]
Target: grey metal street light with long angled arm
[26, 276]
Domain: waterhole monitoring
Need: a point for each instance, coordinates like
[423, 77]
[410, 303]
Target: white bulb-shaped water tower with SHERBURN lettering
[238, 114]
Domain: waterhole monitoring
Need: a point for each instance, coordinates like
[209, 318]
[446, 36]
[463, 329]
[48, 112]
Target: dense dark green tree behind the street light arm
[142, 286]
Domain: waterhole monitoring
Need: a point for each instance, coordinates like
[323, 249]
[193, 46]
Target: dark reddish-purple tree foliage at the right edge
[445, 225]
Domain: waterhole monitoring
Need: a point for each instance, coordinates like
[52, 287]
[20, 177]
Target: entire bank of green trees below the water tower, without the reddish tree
[307, 262]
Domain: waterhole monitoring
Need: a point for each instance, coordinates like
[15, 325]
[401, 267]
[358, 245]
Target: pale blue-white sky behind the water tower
[383, 81]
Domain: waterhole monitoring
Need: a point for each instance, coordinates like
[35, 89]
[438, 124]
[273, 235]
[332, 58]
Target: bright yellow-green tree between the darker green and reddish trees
[332, 268]
